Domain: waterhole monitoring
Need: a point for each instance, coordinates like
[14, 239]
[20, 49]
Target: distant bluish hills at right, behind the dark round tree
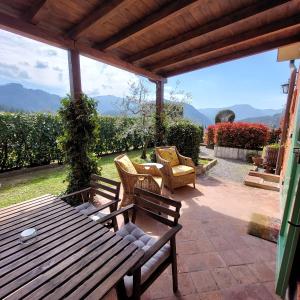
[242, 111]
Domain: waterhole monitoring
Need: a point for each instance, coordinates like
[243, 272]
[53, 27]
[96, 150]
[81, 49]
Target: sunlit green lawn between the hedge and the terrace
[52, 181]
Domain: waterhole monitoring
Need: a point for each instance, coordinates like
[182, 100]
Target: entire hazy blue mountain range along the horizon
[14, 96]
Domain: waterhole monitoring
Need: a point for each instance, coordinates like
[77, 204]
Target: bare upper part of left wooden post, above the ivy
[74, 74]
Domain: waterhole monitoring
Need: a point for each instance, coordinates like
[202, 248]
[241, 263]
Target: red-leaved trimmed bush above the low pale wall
[241, 135]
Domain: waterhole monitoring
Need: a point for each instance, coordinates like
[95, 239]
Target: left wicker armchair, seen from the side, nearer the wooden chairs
[134, 175]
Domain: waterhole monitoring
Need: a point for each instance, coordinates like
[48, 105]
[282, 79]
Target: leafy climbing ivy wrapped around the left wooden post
[80, 132]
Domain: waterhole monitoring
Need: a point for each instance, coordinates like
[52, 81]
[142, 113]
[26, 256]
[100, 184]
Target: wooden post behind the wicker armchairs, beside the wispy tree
[159, 112]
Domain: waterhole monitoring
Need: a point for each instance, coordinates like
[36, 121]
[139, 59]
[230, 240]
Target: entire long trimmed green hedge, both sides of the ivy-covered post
[28, 140]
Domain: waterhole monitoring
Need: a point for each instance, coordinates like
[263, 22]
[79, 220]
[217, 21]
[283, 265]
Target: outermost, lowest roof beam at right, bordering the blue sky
[232, 56]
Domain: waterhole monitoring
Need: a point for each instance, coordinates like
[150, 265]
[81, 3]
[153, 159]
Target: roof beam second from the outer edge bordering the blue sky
[227, 42]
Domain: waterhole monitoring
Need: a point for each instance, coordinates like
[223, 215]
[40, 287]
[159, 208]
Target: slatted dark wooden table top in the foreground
[72, 256]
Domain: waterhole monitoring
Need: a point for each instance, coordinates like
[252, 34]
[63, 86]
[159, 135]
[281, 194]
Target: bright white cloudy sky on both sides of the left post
[47, 68]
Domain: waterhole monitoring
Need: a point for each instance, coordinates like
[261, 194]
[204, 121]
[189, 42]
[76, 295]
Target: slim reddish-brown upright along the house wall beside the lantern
[286, 119]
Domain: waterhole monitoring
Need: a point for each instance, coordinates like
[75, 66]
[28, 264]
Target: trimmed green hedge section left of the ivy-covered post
[28, 140]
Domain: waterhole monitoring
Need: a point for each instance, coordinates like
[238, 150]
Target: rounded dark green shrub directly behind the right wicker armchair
[187, 137]
